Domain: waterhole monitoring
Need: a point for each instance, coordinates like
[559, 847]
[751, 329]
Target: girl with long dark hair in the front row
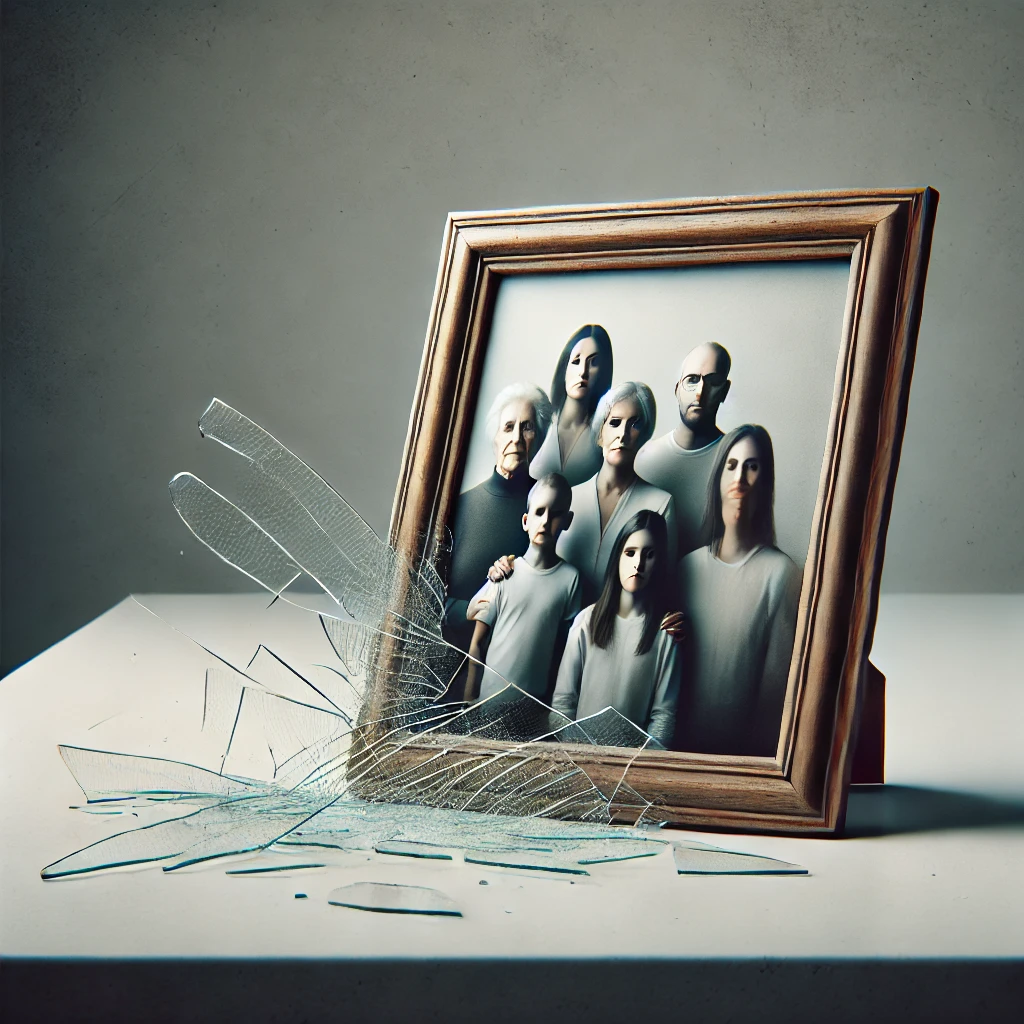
[617, 656]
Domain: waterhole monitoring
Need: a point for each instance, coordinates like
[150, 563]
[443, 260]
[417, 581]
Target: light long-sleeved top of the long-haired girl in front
[642, 688]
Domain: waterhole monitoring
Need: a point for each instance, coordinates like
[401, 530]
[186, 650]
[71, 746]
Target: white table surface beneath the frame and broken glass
[931, 869]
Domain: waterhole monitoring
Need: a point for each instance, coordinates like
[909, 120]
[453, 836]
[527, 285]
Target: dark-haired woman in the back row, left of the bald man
[583, 374]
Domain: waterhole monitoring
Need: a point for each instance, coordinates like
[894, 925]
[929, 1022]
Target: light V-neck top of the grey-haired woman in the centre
[588, 548]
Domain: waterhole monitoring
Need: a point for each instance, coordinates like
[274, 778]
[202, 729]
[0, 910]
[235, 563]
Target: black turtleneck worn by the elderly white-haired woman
[488, 525]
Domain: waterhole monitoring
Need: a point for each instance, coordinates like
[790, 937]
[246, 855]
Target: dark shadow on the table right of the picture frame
[891, 810]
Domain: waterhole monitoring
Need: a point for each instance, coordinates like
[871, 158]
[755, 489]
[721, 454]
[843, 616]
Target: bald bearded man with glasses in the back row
[681, 462]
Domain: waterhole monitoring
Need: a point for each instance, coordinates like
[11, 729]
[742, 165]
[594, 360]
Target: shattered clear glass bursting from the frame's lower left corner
[350, 759]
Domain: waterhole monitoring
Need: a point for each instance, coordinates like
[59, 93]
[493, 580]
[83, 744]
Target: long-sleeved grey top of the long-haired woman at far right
[742, 623]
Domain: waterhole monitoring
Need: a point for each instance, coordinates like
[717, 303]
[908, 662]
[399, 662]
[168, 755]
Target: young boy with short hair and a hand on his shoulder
[521, 620]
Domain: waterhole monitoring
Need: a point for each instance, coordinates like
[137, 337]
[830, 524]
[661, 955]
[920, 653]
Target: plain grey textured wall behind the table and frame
[246, 199]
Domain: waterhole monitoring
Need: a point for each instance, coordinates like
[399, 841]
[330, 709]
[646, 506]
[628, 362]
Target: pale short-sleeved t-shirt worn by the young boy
[525, 614]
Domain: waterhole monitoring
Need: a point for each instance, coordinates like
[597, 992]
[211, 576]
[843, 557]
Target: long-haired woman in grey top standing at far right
[740, 593]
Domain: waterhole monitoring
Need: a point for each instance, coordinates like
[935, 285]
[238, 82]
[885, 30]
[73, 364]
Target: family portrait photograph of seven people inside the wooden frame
[636, 504]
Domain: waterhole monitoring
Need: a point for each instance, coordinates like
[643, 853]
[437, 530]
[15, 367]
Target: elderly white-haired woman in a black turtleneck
[489, 520]
